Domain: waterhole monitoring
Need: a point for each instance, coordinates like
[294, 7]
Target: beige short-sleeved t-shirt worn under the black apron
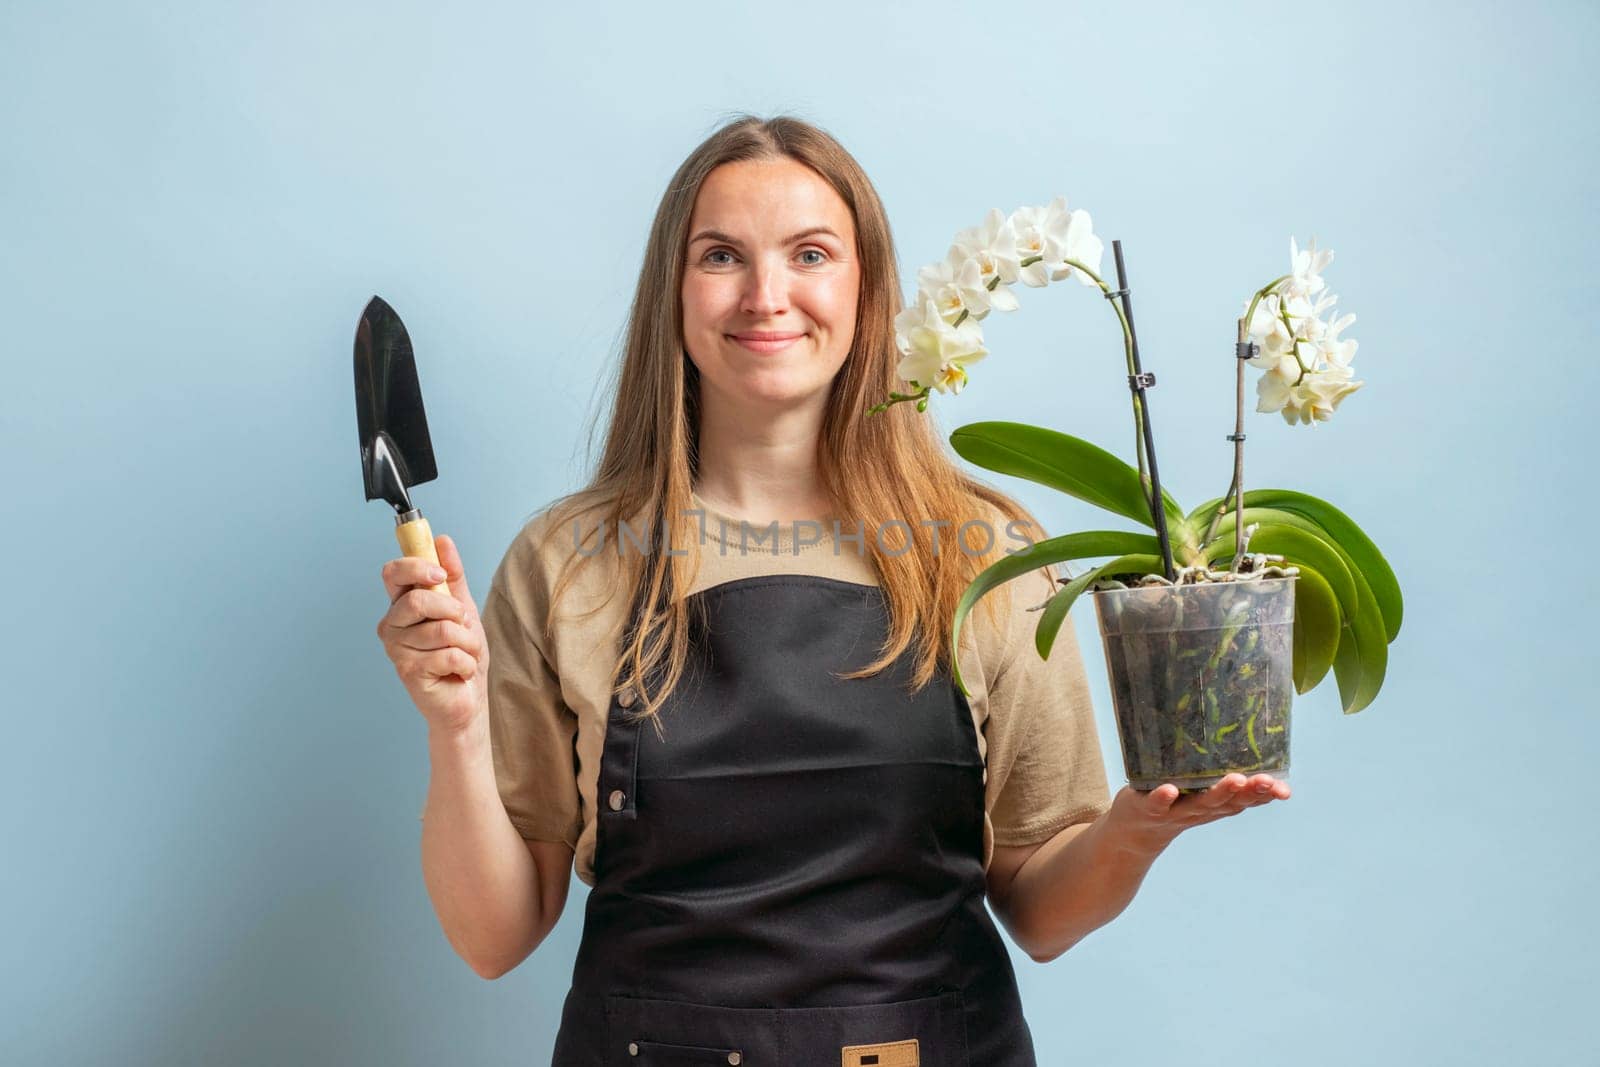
[551, 693]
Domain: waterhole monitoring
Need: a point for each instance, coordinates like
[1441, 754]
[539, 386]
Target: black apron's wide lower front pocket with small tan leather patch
[921, 1033]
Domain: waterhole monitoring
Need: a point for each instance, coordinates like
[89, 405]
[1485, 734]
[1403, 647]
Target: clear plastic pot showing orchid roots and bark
[1202, 679]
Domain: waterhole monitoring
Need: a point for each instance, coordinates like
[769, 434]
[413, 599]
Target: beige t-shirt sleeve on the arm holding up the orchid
[1046, 764]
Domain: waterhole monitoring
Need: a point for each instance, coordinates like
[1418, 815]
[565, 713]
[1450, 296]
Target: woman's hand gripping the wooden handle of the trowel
[436, 641]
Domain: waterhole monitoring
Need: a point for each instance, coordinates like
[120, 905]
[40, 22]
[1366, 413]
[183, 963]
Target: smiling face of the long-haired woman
[770, 286]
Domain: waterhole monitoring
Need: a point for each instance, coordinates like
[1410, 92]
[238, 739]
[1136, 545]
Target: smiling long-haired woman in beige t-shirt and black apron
[791, 866]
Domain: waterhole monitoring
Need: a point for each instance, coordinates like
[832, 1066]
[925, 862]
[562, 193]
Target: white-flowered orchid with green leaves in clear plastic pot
[1215, 620]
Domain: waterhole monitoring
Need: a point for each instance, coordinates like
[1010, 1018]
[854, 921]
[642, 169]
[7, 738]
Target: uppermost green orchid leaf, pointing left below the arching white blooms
[1063, 463]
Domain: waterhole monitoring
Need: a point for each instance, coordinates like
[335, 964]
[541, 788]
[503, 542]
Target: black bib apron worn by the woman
[794, 874]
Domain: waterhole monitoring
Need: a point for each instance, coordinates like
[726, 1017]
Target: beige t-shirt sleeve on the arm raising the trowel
[532, 730]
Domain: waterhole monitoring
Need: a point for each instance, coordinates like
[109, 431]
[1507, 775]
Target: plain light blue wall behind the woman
[212, 772]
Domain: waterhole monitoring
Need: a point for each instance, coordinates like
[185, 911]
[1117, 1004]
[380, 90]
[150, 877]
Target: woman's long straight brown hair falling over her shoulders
[898, 466]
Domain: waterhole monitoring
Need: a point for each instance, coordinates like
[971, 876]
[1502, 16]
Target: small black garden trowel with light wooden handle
[396, 449]
